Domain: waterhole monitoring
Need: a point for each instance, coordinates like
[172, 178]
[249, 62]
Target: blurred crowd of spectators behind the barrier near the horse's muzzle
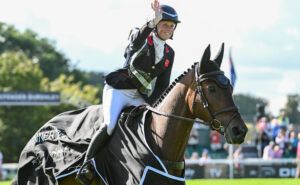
[274, 139]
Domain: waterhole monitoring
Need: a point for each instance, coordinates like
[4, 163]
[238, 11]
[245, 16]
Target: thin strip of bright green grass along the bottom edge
[231, 182]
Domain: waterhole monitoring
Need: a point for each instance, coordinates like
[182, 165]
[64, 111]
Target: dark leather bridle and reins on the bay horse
[213, 122]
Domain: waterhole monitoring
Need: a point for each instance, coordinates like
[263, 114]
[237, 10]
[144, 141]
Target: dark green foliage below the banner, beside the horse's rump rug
[19, 124]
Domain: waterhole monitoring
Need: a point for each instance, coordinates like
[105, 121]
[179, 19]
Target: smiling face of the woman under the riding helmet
[165, 29]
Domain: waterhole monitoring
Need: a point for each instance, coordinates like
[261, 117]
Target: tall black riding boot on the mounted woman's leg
[85, 175]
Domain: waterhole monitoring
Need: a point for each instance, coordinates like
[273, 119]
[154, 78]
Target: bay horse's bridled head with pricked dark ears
[213, 100]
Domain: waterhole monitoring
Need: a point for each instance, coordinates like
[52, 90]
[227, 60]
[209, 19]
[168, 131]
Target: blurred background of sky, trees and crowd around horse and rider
[53, 55]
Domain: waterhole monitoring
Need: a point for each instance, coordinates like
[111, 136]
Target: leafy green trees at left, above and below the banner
[30, 63]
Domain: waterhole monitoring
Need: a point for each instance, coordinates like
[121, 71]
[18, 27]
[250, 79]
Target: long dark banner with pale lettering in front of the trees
[29, 98]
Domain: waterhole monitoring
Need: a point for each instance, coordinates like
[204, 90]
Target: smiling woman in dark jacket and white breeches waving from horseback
[144, 76]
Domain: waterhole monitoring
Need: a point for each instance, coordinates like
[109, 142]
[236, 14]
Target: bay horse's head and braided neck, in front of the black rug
[201, 92]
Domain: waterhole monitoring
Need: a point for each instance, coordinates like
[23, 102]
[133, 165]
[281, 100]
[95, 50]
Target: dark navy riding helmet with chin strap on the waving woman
[169, 14]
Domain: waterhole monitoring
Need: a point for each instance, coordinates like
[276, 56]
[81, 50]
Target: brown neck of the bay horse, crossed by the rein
[171, 135]
